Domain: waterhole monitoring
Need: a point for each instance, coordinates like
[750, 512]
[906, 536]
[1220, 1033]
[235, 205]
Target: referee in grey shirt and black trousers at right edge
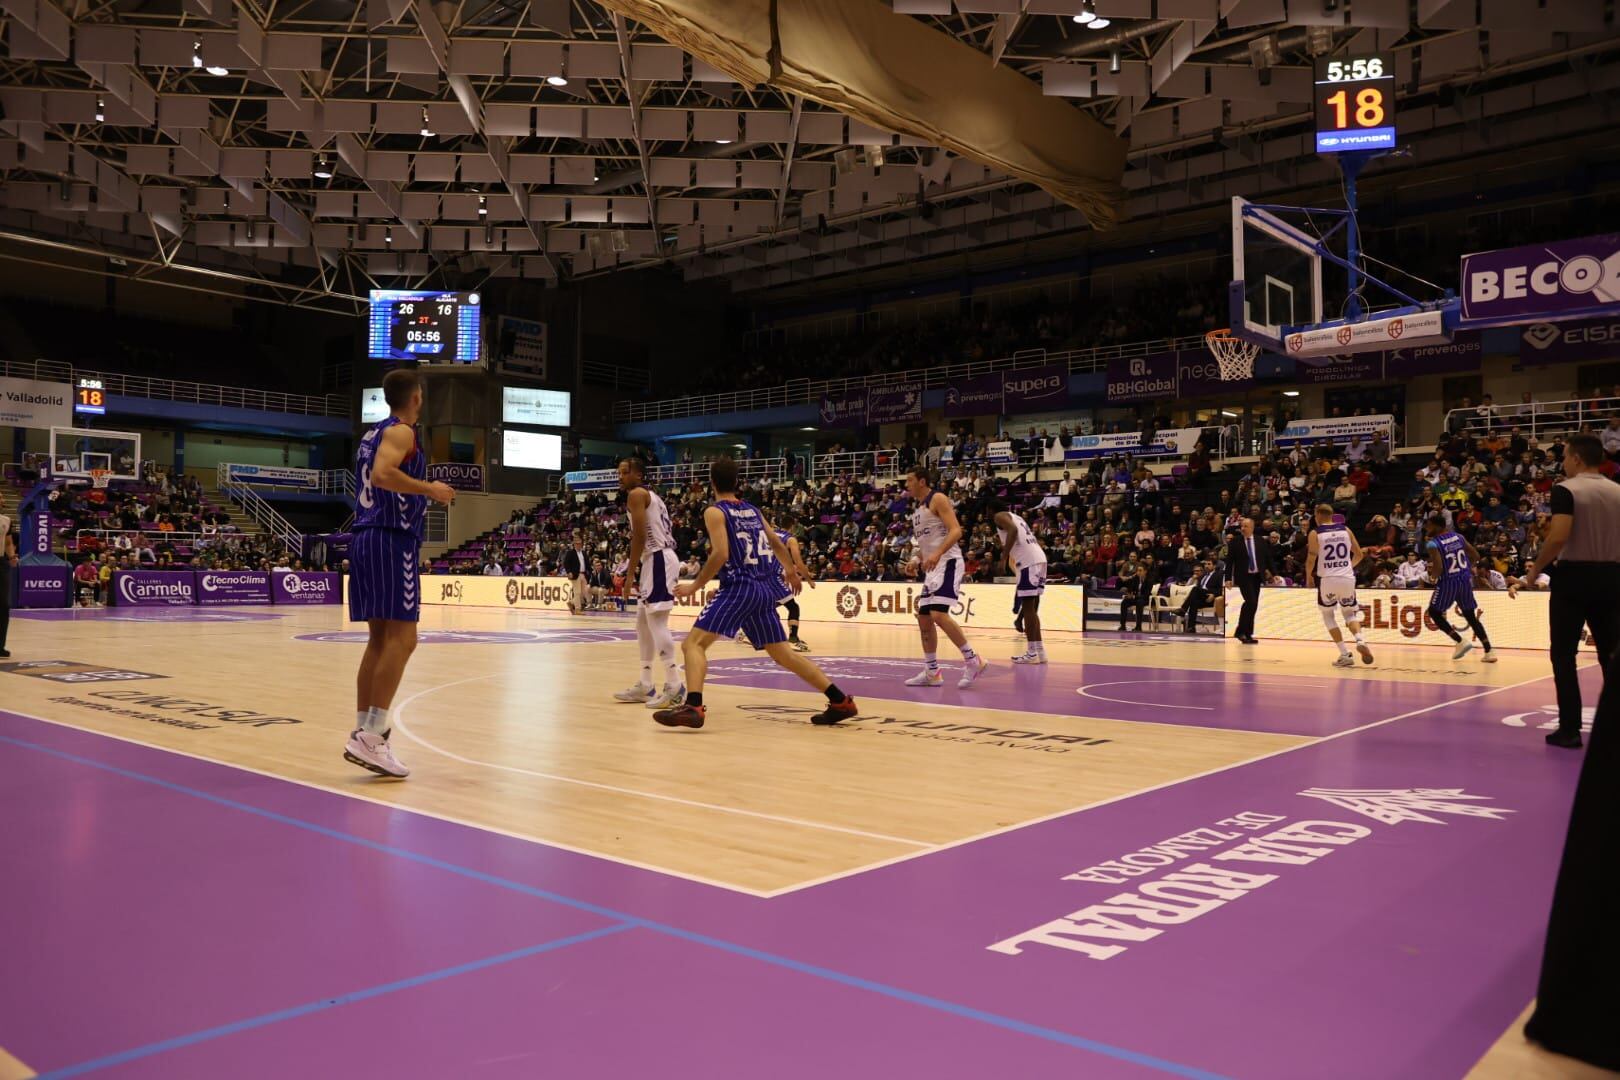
[1584, 540]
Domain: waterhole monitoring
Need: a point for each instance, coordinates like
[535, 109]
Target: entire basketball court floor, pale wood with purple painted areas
[1021, 878]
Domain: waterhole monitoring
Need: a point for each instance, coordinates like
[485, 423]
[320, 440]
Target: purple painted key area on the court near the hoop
[1255, 702]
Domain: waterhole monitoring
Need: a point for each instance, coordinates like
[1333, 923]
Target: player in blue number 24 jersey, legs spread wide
[752, 564]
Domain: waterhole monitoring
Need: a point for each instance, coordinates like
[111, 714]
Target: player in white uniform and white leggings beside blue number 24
[652, 571]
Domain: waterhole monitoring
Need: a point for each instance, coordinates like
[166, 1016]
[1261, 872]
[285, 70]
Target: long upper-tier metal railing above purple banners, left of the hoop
[808, 393]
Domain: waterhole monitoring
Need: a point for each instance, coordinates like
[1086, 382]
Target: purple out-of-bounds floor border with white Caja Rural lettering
[1370, 906]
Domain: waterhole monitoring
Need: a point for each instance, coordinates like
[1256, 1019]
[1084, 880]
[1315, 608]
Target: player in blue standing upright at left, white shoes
[391, 500]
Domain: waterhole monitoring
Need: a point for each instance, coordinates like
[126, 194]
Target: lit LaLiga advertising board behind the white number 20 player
[1397, 618]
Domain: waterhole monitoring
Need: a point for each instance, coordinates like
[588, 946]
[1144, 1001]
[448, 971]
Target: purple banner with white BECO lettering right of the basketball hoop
[1543, 281]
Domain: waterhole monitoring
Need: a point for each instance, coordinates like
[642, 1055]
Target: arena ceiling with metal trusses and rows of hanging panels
[320, 148]
